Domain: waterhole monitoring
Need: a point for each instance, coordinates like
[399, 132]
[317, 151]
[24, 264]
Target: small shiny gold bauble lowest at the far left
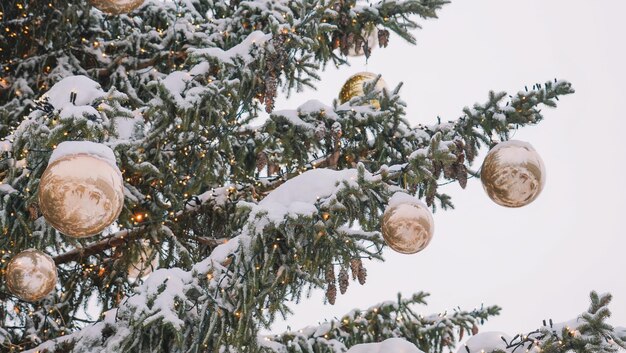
[31, 275]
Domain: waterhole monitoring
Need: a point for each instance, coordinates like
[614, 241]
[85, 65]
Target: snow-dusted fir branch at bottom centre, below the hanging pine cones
[387, 320]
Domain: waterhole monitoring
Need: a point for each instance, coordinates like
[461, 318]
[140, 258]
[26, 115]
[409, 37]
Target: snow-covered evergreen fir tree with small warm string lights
[239, 218]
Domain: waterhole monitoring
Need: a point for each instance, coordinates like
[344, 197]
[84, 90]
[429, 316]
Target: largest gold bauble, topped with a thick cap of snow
[80, 194]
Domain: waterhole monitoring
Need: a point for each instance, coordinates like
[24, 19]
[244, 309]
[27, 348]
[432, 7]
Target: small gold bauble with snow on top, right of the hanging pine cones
[407, 227]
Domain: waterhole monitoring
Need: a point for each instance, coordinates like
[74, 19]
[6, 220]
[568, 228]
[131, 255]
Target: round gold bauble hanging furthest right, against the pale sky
[513, 174]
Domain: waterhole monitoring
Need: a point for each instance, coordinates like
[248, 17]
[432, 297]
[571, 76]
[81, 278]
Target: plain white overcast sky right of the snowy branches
[540, 261]
